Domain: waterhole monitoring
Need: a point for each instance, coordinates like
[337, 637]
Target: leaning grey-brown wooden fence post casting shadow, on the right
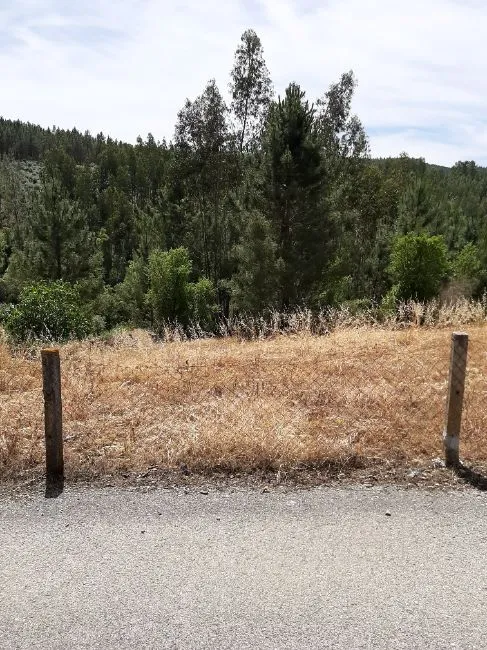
[454, 404]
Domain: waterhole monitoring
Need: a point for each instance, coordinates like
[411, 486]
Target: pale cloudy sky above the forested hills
[125, 67]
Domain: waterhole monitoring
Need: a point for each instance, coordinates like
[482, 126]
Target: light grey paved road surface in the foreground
[325, 568]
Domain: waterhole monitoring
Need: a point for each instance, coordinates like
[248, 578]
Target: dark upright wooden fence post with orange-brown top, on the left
[53, 414]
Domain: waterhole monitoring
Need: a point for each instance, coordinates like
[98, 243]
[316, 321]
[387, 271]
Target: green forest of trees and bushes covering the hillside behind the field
[267, 203]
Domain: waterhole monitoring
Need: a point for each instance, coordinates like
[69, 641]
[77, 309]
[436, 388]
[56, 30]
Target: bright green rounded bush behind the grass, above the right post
[419, 266]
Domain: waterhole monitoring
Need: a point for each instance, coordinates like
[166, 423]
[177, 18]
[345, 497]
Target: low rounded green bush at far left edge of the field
[48, 311]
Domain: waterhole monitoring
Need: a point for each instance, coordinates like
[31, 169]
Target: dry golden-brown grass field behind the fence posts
[355, 398]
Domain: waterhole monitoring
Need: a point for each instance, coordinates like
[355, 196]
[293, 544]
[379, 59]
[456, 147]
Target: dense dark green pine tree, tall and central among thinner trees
[295, 182]
